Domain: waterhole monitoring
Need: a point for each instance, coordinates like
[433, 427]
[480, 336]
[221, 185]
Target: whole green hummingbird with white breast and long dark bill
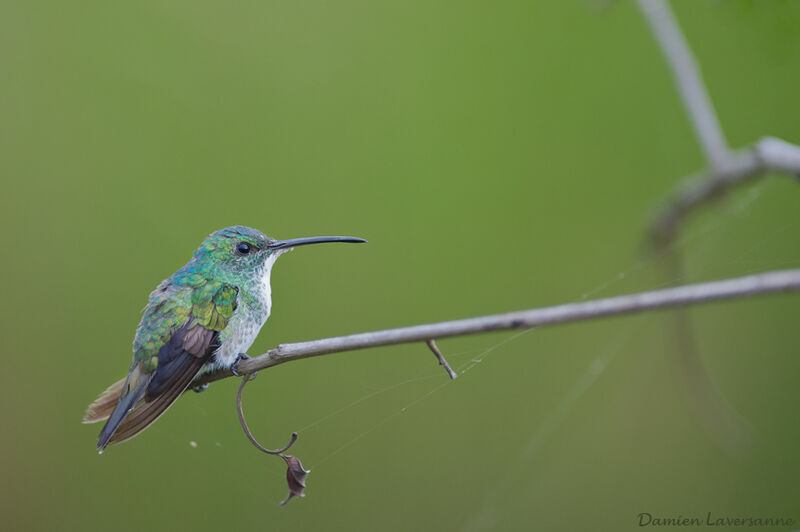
[198, 321]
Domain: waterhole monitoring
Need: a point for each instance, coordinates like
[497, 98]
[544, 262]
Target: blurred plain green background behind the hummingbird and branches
[497, 155]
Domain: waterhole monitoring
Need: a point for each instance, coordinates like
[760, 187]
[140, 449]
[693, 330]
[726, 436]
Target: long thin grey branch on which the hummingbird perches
[751, 285]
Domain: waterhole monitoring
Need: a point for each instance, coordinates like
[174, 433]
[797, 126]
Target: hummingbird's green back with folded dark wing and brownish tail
[177, 335]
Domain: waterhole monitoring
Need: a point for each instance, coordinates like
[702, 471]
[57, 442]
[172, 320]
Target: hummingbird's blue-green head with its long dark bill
[241, 249]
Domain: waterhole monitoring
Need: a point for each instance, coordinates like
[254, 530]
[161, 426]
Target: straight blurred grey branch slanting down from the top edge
[688, 80]
